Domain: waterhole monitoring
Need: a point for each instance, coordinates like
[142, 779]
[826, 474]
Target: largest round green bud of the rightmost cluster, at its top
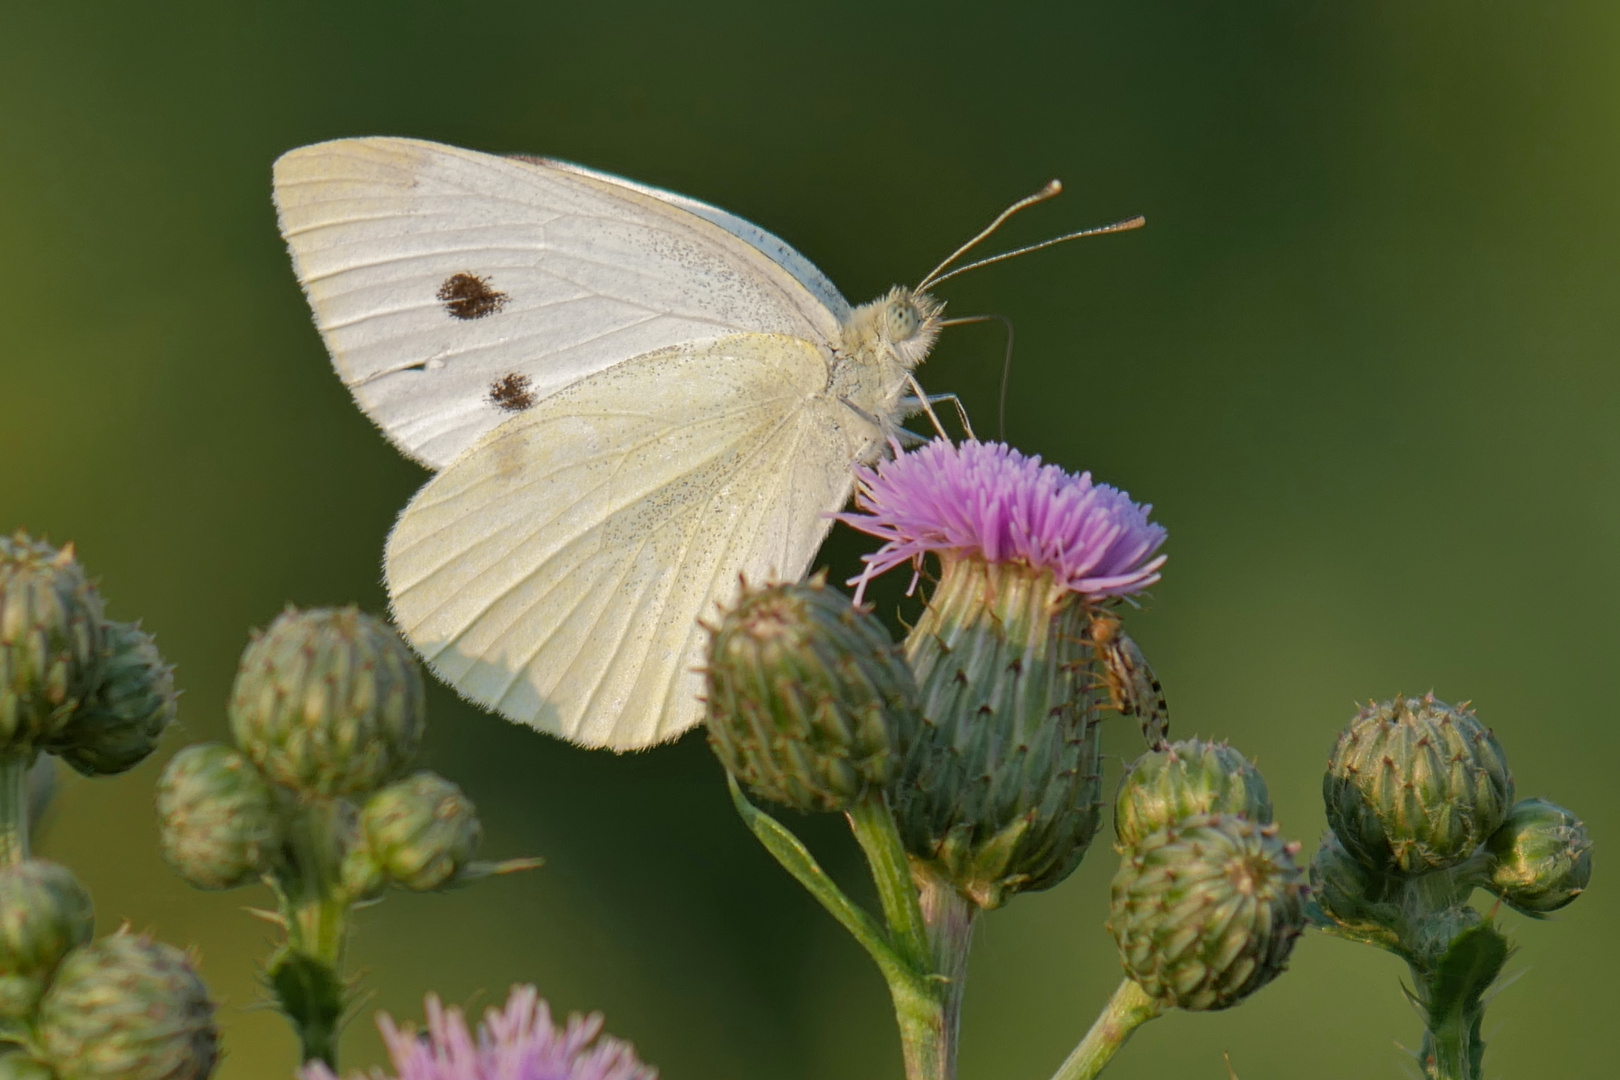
[1417, 784]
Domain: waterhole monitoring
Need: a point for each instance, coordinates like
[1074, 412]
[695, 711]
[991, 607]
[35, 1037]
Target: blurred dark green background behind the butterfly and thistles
[1362, 360]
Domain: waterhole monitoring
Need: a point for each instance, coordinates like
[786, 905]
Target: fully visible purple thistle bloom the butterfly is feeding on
[989, 501]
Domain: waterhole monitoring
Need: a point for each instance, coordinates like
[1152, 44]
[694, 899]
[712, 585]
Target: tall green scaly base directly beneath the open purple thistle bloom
[1000, 791]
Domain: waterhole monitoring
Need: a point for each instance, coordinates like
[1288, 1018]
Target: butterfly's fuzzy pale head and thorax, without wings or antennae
[882, 342]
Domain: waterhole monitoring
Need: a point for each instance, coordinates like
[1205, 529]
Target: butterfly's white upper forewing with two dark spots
[438, 276]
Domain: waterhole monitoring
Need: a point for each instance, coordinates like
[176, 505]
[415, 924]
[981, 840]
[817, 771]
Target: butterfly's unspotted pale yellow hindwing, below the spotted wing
[558, 571]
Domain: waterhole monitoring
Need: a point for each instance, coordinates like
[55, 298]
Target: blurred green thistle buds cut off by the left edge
[98, 695]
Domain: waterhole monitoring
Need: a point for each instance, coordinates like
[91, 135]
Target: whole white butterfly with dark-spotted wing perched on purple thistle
[631, 399]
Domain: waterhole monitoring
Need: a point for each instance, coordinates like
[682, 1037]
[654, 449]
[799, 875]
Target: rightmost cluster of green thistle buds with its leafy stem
[1422, 806]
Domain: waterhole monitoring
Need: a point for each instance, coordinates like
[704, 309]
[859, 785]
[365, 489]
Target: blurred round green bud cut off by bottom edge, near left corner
[129, 1008]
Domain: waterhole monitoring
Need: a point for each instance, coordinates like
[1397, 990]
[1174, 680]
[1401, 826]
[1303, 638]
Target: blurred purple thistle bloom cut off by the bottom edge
[518, 1044]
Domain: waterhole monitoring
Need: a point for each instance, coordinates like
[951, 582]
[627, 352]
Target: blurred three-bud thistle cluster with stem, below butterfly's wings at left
[317, 799]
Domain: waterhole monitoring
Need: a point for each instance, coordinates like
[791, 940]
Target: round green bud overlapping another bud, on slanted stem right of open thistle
[1208, 911]
